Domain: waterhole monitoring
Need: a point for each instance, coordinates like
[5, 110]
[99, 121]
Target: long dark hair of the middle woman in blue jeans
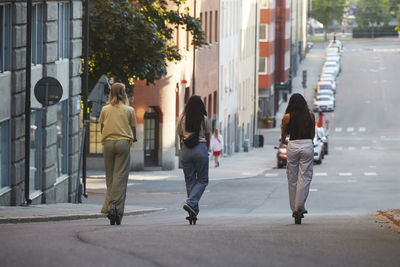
[194, 113]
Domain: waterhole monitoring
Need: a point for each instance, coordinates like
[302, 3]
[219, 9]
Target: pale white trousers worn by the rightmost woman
[299, 170]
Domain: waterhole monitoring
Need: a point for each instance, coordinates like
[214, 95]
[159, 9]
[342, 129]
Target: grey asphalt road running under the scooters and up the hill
[247, 222]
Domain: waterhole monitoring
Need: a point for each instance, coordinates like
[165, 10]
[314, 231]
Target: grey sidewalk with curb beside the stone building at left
[61, 212]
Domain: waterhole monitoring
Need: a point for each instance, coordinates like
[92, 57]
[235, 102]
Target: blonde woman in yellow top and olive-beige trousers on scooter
[118, 128]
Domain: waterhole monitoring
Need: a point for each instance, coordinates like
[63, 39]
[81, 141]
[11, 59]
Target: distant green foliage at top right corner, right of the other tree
[372, 13]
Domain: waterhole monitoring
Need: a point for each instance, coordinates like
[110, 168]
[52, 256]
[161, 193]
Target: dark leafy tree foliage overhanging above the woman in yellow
[133, 40]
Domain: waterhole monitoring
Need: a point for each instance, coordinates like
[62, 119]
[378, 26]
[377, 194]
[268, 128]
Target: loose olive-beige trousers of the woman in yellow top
[117, 160]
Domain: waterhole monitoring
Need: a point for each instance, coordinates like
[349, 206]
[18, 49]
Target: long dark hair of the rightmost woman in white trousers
[300, 117]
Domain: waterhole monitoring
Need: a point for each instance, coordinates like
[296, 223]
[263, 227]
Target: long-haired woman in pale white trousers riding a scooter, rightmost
[299, 124]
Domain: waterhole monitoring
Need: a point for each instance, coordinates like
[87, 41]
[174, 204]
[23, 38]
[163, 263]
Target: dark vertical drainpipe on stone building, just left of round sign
[28, 99]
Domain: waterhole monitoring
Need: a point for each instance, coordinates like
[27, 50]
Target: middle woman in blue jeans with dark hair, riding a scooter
[194, 130]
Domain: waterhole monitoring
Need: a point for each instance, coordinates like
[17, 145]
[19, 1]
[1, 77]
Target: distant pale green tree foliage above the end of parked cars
[327, 11]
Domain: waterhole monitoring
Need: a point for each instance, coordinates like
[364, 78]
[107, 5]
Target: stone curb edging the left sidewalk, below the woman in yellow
[58, 218]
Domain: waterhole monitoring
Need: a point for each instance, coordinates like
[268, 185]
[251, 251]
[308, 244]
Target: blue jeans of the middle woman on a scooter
[195, 168]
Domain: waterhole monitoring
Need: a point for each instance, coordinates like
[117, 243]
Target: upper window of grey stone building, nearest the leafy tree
[63, 30]
